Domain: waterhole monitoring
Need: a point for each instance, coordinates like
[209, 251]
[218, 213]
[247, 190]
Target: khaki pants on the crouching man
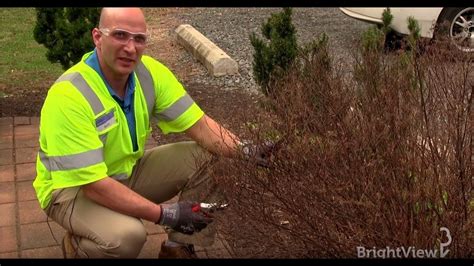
[162, 173]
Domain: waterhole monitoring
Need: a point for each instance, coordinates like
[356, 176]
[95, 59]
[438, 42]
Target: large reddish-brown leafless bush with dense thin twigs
[378, 157]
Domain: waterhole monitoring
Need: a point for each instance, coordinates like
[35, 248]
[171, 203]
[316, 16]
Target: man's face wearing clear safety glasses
[120, 44]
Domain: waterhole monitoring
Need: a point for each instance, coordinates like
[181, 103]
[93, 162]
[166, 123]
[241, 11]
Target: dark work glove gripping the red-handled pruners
[184, 216]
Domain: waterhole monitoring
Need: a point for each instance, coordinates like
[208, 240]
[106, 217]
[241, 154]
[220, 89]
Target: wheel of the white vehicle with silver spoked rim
[458, 25]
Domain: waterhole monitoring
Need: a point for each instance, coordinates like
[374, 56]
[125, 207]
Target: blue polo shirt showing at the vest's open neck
[126, 104]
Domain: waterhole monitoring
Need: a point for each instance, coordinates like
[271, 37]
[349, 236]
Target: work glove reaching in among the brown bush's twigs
[260, 153]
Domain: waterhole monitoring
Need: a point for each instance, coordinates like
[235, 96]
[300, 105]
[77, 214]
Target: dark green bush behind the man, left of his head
[66, 32]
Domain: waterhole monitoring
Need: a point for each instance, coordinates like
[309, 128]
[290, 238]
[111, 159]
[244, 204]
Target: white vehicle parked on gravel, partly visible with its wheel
[460, 21]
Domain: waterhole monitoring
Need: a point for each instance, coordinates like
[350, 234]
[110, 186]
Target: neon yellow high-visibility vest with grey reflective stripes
[84, 135]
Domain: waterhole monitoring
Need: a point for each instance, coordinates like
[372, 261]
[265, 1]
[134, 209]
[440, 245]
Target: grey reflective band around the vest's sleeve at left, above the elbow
[73, 161]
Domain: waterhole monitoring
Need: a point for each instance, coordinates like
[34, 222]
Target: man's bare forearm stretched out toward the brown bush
[214, 137]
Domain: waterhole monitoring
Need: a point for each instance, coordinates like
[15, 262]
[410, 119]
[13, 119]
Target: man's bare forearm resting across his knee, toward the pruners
[116, 196]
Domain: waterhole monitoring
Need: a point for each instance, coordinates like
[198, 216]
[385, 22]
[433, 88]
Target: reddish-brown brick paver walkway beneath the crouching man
[24, 230]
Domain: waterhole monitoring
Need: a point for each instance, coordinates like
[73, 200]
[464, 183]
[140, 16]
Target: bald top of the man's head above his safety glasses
[126, 18]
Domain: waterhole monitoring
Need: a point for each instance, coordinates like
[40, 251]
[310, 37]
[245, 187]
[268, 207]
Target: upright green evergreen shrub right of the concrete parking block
[273, 57]
